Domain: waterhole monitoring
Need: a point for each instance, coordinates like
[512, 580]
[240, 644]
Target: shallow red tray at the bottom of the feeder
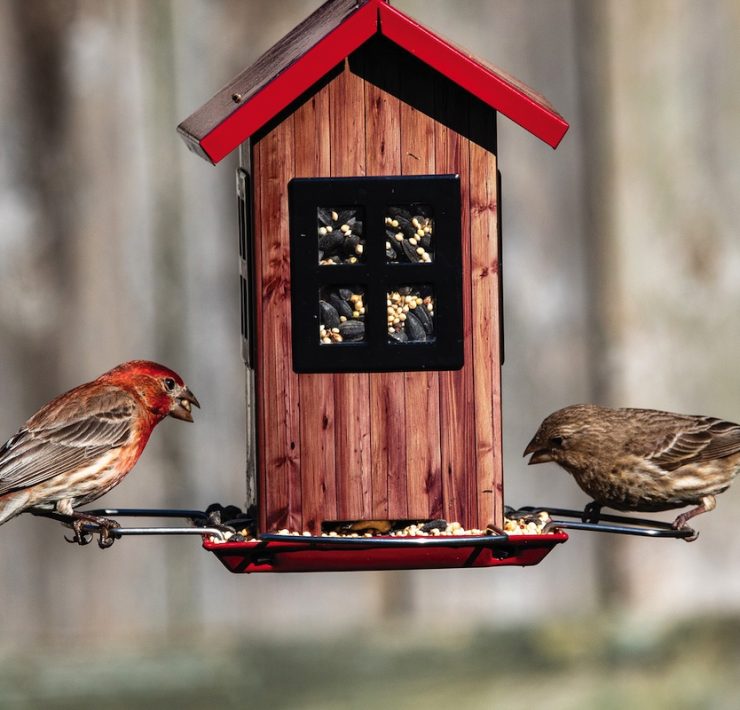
[293, 553]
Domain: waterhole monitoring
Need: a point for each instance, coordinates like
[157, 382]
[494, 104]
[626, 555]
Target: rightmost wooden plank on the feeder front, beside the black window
[485, 318]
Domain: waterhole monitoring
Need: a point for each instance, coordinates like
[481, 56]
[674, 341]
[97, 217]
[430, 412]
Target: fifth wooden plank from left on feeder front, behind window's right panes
[423, 464]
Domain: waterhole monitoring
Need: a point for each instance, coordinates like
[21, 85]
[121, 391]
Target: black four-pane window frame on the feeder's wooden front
[375, 274]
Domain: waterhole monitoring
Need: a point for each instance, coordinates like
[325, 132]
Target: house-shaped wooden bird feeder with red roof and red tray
[370, 260]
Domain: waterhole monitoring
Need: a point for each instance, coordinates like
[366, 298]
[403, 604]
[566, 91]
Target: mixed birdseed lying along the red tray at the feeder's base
[533, 524]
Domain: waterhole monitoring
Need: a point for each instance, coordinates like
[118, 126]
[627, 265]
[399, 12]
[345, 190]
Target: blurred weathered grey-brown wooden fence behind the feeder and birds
[622, 287]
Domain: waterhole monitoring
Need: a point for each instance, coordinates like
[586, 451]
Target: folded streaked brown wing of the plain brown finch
[704, 439]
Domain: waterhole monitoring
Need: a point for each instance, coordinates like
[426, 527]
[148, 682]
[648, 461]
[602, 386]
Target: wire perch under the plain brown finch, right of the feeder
[618, 524]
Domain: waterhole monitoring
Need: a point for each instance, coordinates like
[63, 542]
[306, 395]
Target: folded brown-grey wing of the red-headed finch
[68, 433]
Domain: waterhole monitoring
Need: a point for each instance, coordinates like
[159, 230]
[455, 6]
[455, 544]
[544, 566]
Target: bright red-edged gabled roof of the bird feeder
[321, 42]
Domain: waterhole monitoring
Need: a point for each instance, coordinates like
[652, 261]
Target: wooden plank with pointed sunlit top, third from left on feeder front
[351, 391]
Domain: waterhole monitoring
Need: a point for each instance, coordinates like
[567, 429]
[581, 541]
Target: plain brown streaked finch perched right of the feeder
[641, 459]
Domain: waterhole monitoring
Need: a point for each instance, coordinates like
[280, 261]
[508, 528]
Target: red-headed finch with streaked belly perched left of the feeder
[82, 444]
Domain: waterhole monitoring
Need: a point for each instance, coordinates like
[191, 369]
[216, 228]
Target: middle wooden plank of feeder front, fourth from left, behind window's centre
[387, 390]
